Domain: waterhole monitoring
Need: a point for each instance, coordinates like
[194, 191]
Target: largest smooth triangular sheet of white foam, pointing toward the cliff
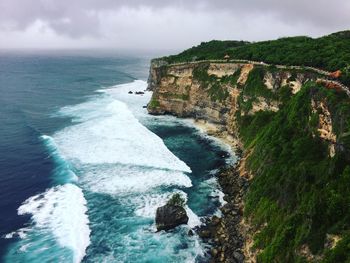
[114, 136]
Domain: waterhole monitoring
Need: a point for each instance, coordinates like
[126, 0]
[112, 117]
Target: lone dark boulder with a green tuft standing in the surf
[172, 214]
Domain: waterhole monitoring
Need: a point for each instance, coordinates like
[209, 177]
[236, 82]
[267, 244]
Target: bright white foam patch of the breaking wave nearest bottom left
[62, 211]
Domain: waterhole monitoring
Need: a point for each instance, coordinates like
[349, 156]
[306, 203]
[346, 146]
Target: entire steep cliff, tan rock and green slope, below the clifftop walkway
[295, 135]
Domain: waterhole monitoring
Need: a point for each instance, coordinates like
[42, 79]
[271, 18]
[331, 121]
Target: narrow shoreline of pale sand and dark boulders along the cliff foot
[228, 234]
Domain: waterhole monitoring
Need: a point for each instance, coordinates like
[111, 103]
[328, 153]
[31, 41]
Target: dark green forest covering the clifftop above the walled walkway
[330, 52]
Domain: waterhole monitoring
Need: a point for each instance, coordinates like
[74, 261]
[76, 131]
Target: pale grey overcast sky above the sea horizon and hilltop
[162, 24]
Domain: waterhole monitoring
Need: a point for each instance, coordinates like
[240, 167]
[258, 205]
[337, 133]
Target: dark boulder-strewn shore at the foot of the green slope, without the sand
[225, 234]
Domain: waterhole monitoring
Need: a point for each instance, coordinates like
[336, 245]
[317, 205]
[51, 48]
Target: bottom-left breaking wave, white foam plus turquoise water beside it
[59, 228]
